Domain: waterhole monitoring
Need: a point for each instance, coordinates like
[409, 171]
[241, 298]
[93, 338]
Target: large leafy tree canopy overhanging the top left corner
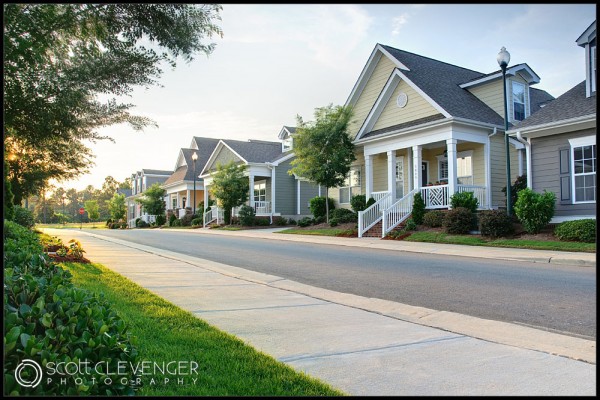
[65, 64]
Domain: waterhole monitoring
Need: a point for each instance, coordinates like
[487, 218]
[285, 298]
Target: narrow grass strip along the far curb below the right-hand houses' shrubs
[439, 237]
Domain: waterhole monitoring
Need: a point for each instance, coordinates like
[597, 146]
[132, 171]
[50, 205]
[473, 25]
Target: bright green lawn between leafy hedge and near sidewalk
[165, 332]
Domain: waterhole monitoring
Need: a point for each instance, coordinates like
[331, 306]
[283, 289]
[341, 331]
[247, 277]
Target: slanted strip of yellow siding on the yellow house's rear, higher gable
[369, 95]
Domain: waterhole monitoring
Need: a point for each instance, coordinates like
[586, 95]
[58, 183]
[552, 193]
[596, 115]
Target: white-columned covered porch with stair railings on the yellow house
[396, 171]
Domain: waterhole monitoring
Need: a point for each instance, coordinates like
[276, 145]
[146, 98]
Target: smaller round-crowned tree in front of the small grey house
[229, 187]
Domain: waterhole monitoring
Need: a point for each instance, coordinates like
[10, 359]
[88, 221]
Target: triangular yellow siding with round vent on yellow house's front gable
[416, 108]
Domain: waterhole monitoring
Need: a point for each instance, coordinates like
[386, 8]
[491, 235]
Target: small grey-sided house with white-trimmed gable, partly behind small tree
[272, 190]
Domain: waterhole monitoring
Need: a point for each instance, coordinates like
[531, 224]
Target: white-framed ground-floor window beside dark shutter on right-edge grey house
[584, 173]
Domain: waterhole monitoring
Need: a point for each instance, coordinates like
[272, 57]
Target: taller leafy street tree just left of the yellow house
[324, 151]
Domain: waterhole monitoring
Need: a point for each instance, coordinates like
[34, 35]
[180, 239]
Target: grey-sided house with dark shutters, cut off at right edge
[561, 143]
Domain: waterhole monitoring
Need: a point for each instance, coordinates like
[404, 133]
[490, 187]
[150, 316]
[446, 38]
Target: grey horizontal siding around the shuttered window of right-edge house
[546, 171]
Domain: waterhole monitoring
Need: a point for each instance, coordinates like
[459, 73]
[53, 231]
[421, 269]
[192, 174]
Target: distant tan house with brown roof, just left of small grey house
[180, 194]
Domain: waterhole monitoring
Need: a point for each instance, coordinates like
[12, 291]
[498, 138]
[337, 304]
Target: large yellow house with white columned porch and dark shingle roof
[423, 125]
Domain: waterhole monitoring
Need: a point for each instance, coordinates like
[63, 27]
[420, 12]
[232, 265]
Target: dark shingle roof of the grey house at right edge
[572, 104]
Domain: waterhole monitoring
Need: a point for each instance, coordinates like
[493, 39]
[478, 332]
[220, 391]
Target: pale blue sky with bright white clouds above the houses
[275, 62]
